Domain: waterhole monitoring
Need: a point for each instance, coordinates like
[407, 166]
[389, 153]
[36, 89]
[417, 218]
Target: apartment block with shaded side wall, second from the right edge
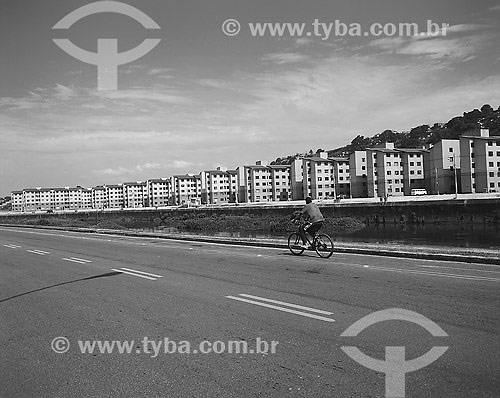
[442, 167]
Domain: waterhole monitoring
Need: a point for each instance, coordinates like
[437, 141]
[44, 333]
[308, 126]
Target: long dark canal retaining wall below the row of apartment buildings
[453, 211]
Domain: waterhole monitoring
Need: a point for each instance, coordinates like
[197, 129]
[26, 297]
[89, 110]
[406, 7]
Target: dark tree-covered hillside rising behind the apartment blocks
[419, 136]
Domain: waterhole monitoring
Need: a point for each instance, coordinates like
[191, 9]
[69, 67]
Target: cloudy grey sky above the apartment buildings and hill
[202, 99]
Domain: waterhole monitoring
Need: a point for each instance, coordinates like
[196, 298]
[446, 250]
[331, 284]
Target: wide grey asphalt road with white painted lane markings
[164, 298]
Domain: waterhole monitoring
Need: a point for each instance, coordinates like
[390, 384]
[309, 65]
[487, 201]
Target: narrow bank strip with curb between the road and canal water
[442, 253]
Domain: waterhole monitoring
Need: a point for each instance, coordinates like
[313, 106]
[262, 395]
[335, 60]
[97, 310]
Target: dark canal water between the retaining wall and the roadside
[466, 235]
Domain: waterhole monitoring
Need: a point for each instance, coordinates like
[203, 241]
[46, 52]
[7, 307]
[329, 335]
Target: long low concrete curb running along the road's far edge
[274, 244]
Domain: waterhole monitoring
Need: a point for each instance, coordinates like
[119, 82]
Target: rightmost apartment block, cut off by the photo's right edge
[480, 162]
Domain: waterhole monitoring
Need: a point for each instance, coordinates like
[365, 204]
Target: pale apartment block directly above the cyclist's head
[318, 177]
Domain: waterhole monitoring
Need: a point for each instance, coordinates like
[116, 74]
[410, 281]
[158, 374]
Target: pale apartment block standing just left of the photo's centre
[218, 186]
